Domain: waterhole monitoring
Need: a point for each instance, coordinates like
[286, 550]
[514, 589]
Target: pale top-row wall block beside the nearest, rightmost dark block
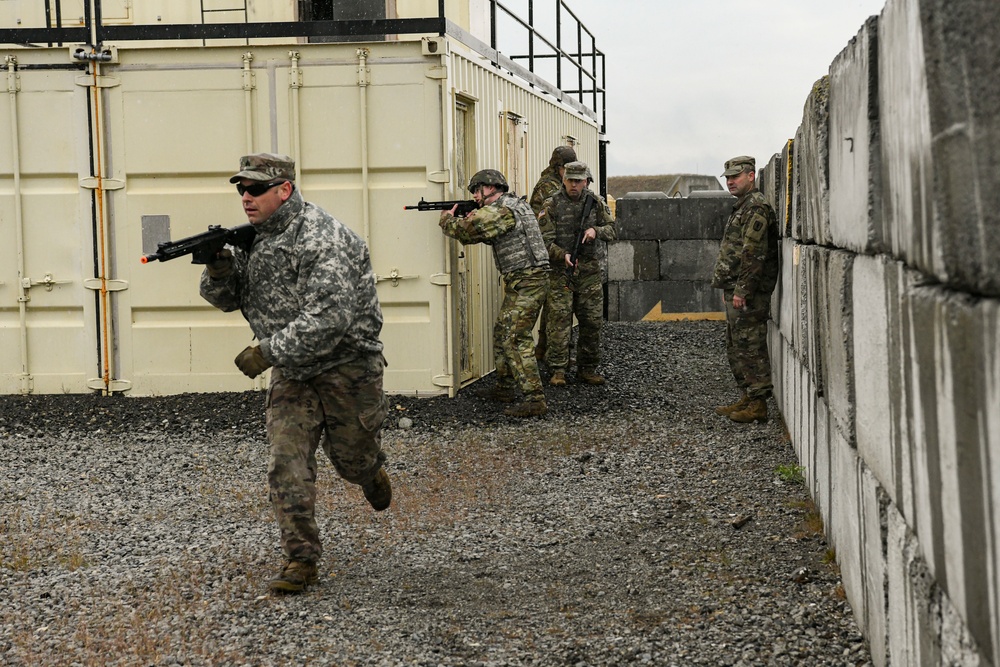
[855, 146]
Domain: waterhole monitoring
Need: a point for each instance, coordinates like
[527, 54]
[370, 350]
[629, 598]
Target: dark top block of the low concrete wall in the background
[673, 218]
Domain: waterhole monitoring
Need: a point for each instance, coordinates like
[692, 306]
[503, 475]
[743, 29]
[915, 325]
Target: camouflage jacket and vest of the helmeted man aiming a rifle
[509, 225]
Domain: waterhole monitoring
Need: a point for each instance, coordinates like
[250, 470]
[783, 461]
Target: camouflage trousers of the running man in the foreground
[344, 408]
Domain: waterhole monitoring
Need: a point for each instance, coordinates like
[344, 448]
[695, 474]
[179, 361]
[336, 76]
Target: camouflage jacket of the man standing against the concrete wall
[748, 254]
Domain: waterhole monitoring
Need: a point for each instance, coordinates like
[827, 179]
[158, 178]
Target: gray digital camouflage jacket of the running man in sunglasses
[307, 289]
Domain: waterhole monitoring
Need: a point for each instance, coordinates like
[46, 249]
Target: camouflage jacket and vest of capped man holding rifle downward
[560, 220]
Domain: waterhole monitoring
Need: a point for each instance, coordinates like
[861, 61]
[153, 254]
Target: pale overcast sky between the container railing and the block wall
[692, 83]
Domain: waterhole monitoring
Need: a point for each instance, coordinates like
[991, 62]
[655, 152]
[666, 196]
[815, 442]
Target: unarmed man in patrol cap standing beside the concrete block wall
[747, 271]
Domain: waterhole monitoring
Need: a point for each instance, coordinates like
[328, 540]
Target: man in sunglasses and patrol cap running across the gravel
[307, 289]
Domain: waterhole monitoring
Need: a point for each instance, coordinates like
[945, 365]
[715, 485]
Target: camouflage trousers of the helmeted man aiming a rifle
[513, 343]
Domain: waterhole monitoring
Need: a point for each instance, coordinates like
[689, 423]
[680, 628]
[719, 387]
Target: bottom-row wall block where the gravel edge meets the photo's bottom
[874, 501]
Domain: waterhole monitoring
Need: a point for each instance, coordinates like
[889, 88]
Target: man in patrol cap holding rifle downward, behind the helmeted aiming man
[575, 290]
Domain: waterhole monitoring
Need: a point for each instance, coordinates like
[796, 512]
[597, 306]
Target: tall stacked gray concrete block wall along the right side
[885, 337]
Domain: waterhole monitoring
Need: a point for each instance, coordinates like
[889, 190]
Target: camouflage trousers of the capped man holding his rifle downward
[582, 296]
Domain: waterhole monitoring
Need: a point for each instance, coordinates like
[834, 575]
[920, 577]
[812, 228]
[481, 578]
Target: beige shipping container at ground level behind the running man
[100, 160]
